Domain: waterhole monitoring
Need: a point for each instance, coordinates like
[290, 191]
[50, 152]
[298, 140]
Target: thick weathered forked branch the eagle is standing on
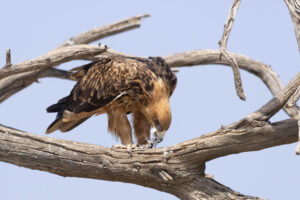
[178, 169]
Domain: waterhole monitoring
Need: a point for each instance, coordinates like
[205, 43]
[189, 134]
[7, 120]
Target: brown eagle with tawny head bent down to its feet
[119, 86]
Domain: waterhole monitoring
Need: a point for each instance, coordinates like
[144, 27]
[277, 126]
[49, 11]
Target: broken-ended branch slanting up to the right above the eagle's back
[104, 31]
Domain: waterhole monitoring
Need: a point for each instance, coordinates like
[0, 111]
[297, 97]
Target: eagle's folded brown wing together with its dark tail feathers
[99, 84]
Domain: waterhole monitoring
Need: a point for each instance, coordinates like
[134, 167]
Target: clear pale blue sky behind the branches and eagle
[204, 99]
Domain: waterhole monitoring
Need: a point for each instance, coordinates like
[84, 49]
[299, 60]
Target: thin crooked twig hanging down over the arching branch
[226, 54]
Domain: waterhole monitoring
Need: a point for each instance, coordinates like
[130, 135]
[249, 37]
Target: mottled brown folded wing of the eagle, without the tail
[103, 81]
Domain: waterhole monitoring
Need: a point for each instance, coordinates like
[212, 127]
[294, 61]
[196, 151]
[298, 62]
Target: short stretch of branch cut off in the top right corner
[294, 8]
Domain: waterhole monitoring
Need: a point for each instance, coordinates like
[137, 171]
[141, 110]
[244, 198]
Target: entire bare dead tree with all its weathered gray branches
[179, 169]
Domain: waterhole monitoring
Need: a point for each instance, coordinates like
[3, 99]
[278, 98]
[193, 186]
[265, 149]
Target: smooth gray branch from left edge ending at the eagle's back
[53, 59]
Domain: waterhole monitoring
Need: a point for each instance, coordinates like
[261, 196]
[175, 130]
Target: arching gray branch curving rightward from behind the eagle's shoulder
[262, 71]
